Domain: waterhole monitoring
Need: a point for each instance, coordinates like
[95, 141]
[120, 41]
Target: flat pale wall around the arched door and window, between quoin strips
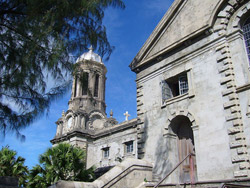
[205, 104]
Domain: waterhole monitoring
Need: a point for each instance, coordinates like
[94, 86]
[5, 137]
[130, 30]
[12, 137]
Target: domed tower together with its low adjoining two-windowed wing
[86, 125]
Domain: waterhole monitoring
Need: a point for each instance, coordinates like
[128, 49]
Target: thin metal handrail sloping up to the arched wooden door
[191, 170]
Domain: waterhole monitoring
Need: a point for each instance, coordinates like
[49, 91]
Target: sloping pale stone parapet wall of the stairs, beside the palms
[128, 174]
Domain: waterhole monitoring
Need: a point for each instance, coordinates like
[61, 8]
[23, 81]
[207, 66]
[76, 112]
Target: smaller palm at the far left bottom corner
[11, 165]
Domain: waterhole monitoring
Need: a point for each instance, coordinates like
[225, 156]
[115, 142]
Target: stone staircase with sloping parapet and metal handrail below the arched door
[135, 173]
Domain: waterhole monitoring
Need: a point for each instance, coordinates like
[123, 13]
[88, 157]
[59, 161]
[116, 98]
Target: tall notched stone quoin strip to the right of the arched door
[232, 110]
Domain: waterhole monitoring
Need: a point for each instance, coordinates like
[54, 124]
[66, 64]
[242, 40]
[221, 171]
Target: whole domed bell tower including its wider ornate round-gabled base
[87, 108]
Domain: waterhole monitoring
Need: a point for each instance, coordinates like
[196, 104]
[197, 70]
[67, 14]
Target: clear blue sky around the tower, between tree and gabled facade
[127, 30]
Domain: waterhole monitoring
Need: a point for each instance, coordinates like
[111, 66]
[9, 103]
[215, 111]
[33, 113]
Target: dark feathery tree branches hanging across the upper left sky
[36, 38]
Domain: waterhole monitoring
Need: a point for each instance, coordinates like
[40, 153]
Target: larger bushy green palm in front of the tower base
[62, 162]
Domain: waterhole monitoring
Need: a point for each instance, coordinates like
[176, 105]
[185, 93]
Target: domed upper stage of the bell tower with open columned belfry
[88, 89]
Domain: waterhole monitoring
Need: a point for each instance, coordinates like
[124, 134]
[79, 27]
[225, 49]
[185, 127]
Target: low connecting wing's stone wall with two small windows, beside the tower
[115, 141]
